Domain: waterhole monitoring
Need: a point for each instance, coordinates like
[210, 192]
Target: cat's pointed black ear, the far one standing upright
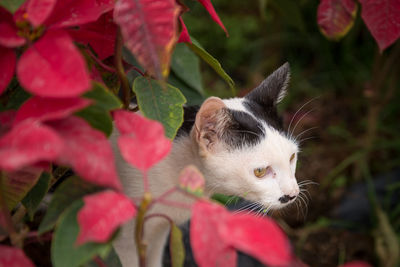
[273, 89]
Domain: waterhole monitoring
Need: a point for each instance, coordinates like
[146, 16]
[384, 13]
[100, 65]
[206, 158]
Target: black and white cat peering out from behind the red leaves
[241, 148]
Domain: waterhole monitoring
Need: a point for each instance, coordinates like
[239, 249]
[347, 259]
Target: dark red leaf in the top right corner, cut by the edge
[382, 18]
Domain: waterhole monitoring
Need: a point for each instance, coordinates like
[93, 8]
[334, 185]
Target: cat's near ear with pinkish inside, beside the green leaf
[209, 124]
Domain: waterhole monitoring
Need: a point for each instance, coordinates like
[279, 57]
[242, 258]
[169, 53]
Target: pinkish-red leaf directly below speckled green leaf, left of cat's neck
[142, 141]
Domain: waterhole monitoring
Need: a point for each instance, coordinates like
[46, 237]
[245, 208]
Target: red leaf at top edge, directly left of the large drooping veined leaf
[68, 13]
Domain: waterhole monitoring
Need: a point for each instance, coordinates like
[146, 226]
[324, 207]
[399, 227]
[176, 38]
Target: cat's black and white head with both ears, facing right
[243, 147]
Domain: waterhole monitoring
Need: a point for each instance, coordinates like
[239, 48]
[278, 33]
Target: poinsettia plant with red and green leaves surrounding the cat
[67, 70]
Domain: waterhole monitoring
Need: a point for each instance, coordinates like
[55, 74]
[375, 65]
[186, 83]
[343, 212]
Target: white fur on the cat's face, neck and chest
[225, 172]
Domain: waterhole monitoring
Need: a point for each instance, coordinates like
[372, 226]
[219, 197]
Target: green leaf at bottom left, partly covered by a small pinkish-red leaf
[64, 251]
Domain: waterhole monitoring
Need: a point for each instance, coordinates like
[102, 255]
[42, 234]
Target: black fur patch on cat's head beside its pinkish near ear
[242, 130]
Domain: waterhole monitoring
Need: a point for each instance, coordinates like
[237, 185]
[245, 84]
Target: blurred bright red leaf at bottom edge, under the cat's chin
[259, 237]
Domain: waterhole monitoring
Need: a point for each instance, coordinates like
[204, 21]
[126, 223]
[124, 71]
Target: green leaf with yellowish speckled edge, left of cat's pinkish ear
[161, 102]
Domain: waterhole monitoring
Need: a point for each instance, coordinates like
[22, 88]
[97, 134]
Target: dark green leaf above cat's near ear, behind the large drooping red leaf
[186, 65]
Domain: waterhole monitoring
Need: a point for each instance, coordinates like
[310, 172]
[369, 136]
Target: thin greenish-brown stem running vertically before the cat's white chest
[140, 219]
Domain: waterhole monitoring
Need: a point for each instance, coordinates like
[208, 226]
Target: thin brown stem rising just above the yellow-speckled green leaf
[126, 96]
